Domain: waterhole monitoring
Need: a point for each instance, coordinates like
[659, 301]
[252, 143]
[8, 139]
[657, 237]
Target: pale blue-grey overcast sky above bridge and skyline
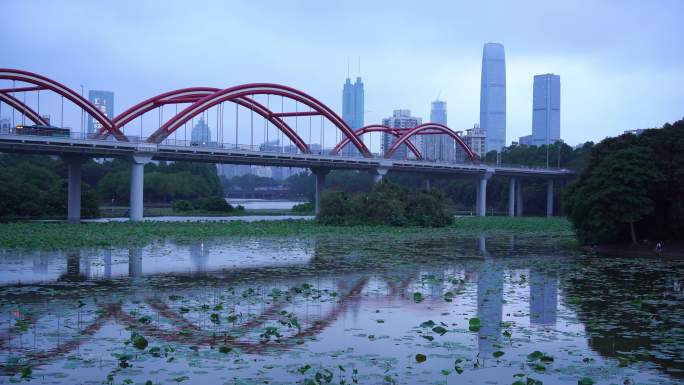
[621, 63]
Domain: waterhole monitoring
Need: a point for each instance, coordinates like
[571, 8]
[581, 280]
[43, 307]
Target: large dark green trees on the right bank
[632, 188]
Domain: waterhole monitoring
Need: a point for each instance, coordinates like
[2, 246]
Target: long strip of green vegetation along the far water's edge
[40, 235]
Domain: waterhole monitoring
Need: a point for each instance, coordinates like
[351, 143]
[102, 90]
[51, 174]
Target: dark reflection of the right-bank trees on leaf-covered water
[630, 309]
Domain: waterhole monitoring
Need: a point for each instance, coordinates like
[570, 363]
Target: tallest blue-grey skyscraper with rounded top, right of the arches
[493, 96]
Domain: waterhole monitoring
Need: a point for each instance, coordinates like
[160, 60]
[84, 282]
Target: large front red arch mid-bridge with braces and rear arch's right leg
[241, 94]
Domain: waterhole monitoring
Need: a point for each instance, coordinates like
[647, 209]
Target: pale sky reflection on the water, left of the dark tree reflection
[370, 323]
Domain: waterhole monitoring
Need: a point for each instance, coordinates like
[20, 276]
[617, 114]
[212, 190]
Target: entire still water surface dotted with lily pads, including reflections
[491, 309]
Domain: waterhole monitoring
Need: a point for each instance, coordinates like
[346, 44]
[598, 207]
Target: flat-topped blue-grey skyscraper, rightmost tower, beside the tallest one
[546, 109]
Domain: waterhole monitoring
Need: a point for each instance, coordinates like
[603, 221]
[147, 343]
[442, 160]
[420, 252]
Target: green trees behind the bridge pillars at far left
[36, 185]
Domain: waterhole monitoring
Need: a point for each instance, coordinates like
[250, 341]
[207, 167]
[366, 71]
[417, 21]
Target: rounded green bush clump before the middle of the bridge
[386, 204]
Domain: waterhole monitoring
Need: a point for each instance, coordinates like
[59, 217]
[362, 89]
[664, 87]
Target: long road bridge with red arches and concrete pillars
[295, 129]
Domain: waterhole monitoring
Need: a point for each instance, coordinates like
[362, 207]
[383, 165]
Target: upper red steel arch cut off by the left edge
[45, 83]
